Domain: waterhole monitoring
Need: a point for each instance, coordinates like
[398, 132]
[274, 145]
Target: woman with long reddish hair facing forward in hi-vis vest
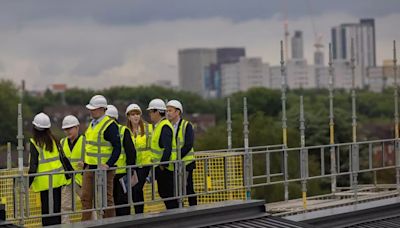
[141, 137]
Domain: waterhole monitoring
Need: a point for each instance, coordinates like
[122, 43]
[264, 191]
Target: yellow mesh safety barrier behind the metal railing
[215, 180]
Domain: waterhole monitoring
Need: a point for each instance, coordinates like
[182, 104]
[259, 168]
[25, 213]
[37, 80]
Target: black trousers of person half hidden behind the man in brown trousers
[120, 197]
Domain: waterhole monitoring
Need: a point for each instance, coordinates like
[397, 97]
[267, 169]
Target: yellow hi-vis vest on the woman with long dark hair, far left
[49, 161]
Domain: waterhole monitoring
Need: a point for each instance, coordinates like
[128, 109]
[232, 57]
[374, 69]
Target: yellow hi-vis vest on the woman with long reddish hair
[142, 146]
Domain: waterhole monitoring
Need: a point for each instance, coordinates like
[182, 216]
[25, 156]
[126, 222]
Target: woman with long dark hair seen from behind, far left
[45, 158]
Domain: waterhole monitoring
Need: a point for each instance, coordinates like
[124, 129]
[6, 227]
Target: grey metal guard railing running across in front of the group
[253, 181]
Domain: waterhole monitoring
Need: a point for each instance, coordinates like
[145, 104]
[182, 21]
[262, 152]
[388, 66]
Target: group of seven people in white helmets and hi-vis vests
[110, 146]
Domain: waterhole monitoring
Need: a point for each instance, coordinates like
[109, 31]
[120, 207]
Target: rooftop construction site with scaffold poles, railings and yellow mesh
[225, 179]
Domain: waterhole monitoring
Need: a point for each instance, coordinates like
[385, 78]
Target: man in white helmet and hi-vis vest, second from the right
[162, 142]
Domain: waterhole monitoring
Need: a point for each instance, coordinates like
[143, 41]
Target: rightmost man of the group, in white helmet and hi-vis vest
[184, 136]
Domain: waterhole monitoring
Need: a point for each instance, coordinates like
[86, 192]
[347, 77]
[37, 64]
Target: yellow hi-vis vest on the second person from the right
[156, 151]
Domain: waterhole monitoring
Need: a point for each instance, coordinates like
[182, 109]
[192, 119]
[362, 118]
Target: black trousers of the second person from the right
[165, 182]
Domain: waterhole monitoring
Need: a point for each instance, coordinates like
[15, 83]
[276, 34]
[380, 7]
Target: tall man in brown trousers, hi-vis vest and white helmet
[102, 150]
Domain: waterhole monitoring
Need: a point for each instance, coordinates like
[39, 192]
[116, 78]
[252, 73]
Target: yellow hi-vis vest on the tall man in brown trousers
[97, 148]
